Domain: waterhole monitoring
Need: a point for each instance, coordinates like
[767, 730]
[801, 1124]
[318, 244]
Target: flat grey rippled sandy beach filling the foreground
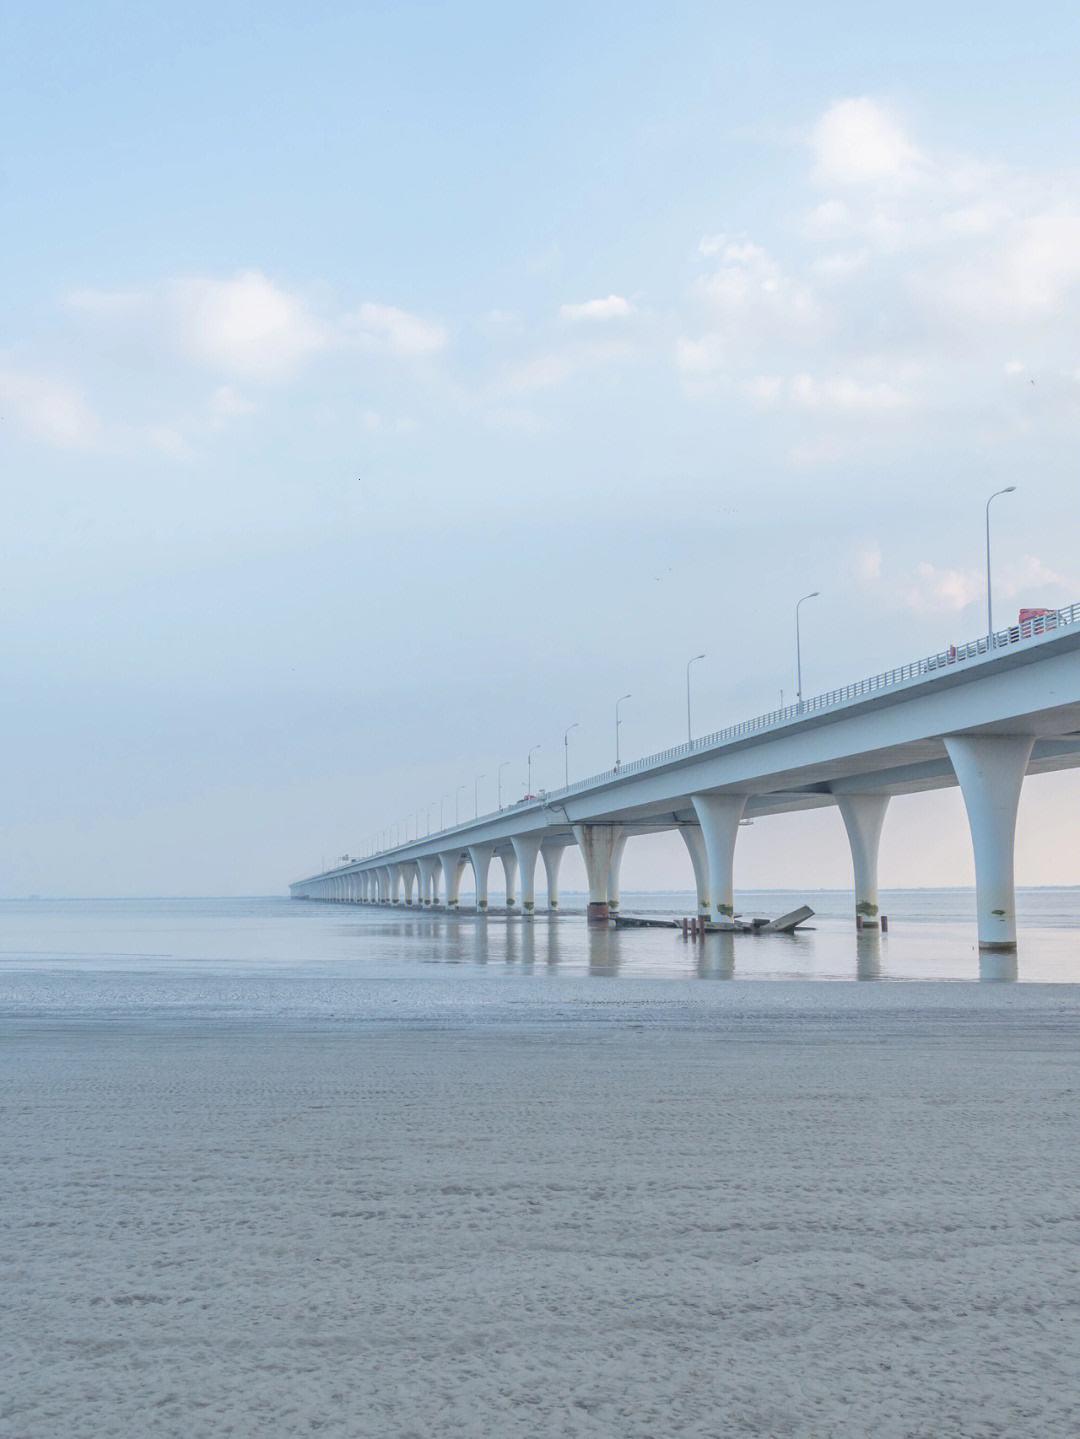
[820, 1217]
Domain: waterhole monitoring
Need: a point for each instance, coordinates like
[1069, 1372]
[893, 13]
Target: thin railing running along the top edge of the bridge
[888, 680]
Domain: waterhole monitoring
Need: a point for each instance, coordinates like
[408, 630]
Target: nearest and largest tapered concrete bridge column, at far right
[992, 771]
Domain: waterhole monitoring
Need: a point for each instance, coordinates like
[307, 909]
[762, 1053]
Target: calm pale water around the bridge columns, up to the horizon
[245, 959]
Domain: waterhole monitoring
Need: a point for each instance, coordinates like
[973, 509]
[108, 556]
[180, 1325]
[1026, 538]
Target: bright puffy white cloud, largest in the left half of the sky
[245, 326]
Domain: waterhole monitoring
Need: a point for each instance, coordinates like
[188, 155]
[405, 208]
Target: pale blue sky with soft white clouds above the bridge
[388, 386]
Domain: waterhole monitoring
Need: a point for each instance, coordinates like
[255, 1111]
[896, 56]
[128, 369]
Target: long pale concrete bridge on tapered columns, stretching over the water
[981, 716]
